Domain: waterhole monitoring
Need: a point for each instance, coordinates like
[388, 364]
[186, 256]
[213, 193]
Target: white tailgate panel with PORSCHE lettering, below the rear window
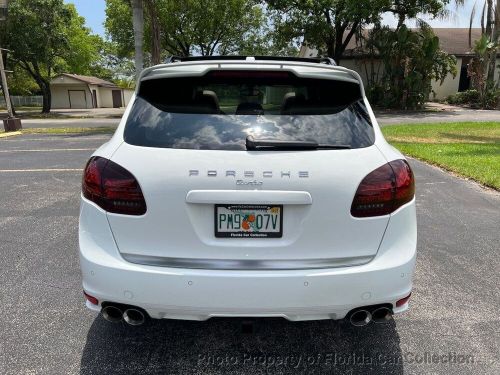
[316, 189]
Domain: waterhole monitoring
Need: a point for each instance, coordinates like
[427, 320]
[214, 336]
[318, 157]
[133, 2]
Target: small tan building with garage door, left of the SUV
[84, 92]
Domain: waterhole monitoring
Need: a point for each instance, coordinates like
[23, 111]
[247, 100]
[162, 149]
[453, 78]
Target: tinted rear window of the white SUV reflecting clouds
[219, 110]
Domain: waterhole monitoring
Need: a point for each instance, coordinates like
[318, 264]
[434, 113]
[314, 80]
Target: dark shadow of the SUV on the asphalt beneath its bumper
[226, 346]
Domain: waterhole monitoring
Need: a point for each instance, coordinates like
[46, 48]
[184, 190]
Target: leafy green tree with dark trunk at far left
[48, 37]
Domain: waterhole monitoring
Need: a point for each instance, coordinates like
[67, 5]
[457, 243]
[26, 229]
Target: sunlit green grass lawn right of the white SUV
[470, 149]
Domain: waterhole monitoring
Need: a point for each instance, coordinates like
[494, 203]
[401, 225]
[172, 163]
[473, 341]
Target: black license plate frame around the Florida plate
[247, 233]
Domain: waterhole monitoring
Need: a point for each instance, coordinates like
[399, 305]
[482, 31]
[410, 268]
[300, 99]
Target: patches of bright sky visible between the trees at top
[93, 11]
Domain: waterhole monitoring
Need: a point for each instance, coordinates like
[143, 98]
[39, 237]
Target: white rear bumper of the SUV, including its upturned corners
[199, 294]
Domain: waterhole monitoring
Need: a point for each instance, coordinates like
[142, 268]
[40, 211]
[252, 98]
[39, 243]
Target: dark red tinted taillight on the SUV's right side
[384, 190]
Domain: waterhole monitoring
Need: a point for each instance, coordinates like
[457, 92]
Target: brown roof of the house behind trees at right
[454, 41]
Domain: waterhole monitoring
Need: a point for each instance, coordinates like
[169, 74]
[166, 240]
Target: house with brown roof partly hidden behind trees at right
[454, 41]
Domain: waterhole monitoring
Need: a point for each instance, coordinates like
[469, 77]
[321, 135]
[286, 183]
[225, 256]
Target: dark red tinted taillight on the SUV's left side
[112, 187]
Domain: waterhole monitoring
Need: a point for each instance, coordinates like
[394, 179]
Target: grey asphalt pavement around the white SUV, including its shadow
[45, 328]
